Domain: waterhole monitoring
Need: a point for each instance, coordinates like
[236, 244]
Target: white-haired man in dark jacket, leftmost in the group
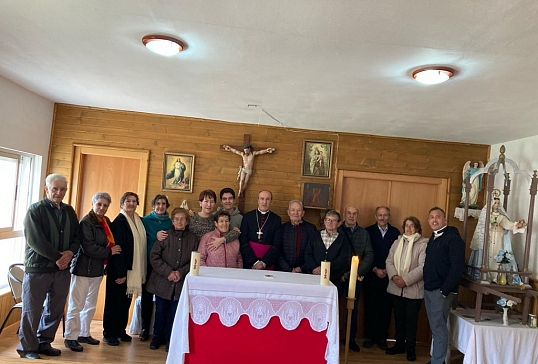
[52, 237]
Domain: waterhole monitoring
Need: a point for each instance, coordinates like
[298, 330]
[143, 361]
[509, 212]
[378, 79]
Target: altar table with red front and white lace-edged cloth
[228, 315]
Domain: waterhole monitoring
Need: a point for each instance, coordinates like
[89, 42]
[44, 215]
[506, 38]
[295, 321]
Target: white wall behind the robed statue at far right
[524, 152]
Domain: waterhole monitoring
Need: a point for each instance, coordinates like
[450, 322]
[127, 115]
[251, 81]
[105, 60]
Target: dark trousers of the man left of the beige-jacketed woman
[377, 308]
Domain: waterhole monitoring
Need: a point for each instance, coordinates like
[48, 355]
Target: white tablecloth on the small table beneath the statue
[489, 342]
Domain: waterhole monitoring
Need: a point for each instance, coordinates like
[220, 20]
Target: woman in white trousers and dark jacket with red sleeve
[88, 268]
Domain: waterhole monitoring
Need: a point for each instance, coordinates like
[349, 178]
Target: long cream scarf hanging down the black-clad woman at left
[137, 276]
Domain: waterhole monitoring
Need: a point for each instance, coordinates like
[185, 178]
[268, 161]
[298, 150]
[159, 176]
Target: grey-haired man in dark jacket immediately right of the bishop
[294, 236]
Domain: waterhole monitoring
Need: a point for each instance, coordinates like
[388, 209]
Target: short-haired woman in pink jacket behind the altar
[226, 255]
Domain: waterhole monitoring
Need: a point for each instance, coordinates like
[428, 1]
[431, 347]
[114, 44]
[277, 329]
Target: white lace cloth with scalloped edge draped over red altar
[260, 295]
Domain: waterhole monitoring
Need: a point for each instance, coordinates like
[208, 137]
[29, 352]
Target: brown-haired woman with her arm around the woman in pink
[203, 222]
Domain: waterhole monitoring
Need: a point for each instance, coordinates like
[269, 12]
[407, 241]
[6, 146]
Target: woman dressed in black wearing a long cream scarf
[126, 272]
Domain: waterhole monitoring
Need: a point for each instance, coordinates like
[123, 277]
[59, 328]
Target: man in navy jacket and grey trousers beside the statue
[443, 268]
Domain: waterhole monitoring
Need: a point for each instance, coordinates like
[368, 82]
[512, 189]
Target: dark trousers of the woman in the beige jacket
[405, 321]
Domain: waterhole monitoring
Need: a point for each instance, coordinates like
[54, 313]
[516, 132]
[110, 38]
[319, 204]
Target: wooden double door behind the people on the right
[405, 196]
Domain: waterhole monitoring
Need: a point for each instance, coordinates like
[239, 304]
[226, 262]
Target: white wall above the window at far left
[25, 121]
